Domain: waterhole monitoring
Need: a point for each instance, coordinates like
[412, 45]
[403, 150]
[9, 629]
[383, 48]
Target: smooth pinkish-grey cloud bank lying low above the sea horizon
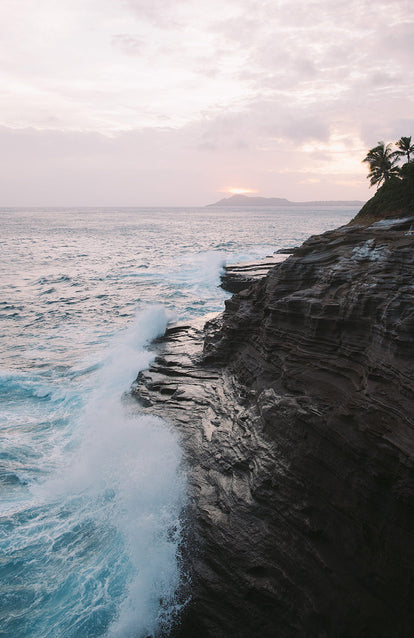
[163, 167]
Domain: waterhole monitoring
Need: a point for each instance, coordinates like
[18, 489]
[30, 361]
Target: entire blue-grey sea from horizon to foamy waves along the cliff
[91, 491]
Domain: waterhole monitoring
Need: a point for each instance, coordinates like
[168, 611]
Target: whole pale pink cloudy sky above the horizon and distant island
[183, 102]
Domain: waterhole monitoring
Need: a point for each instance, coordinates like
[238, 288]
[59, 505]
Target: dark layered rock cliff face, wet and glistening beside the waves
[297, 421]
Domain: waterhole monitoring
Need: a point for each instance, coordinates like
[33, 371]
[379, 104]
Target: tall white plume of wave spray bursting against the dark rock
[126, 469]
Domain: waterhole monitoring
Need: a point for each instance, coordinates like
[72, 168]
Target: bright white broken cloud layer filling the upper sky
[105, 67]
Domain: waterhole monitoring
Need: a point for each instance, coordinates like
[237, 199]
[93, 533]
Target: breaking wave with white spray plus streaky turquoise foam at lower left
[95, 545]
